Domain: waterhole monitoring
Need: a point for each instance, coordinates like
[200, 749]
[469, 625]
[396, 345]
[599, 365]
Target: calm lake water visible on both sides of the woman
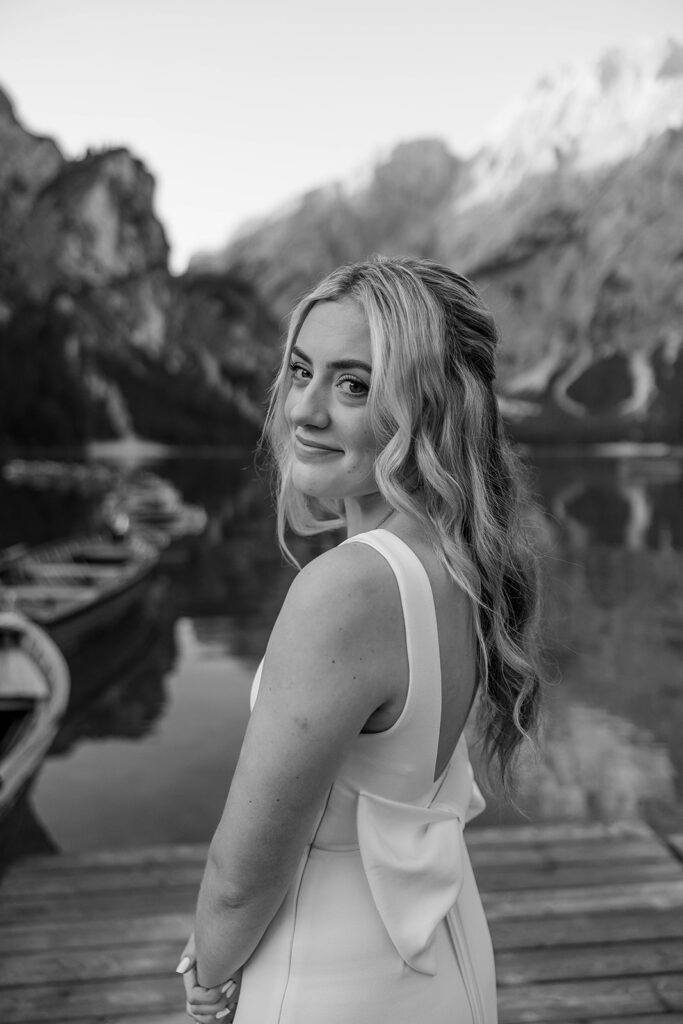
[160, 704]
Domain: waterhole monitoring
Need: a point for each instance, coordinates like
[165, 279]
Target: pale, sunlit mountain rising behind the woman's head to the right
[570, 220]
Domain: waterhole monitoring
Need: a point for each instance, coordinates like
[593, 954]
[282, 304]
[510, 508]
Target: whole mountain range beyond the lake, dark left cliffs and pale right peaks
[576, 247]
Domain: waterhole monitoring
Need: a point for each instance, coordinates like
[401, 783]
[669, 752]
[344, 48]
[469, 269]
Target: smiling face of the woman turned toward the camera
[333, 445]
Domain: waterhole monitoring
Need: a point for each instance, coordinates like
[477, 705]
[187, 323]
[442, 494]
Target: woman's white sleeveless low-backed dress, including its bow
[383, 921]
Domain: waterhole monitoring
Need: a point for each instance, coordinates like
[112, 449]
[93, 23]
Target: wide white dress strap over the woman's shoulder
[422, 711]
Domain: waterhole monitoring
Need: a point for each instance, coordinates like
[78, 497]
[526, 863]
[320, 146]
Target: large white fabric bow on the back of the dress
[415, 859]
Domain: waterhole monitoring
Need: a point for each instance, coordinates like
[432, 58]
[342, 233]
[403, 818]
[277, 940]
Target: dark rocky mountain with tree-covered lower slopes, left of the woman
[98, 338]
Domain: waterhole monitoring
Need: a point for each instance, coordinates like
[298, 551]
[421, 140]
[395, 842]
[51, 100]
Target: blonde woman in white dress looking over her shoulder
[338, 878]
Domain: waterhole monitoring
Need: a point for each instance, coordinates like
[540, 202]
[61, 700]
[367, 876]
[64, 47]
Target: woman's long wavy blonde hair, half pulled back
[444, 460]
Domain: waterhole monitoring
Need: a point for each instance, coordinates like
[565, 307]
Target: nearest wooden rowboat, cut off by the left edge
[34, 693]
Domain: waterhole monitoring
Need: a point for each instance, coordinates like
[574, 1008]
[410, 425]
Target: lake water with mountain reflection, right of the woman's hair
[614, 622]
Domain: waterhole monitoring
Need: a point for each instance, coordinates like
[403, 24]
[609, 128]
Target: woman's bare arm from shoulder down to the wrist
[327, 669]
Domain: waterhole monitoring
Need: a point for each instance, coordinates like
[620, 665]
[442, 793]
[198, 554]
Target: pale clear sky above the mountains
[239, 107]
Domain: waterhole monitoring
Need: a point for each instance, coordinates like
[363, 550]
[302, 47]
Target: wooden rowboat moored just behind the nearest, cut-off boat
[76, 587]
